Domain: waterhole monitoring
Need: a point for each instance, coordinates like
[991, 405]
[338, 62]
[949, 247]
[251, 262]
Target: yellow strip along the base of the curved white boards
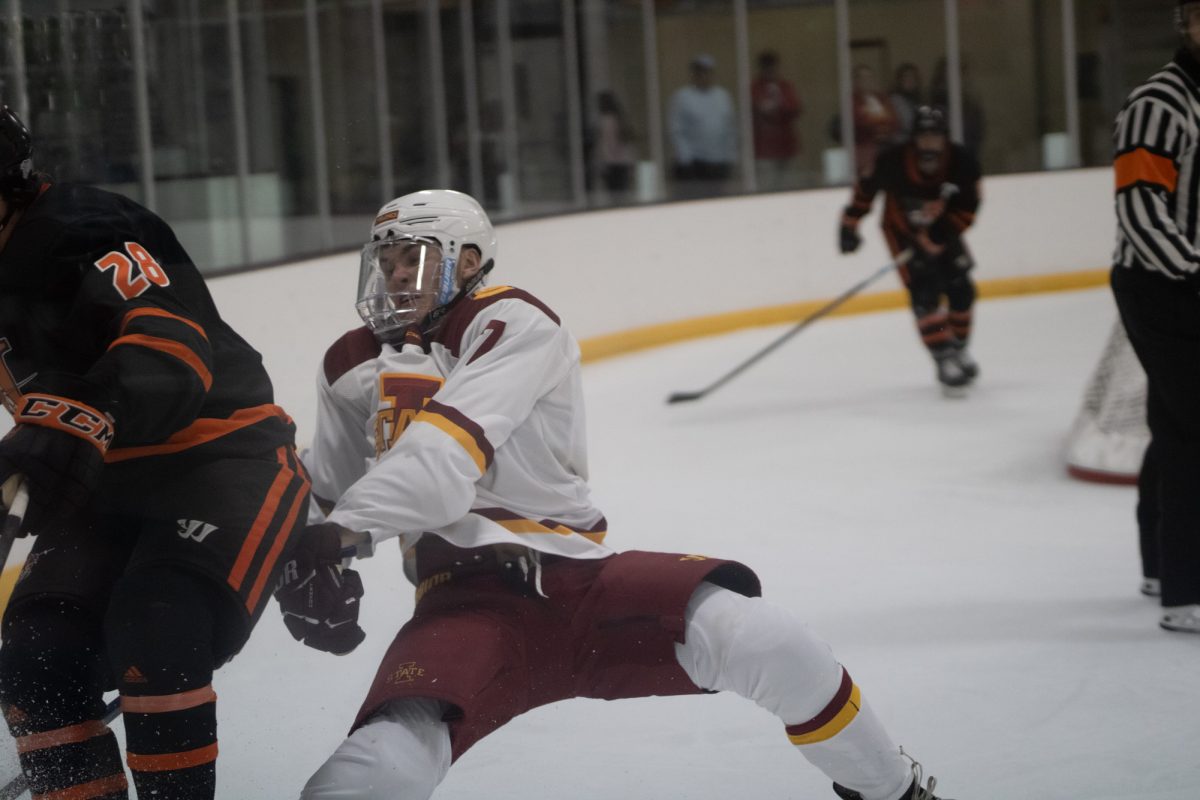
[651, 336]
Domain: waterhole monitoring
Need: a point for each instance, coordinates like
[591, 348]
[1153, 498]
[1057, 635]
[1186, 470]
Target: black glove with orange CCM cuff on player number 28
[59, 446]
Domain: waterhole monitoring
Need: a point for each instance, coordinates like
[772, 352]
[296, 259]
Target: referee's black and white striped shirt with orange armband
[1157, 176]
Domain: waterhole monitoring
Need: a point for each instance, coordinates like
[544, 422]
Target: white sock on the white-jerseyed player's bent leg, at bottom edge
[403, 753]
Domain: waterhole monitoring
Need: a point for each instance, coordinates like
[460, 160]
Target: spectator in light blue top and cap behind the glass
[703, 133]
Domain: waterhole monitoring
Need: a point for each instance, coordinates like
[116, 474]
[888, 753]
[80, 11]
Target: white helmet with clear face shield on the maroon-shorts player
[410, 269]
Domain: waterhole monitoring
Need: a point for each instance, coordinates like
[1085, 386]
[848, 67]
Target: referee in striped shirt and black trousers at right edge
[1156, 281]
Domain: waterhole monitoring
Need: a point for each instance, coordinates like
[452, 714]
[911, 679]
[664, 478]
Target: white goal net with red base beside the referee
[1111, 436]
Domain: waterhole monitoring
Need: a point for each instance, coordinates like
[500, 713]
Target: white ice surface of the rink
[986, 603]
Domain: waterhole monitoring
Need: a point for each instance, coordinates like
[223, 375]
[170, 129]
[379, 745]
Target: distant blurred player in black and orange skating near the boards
[932, 196]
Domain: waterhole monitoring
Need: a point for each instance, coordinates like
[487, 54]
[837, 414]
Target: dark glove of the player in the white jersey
[320, 600]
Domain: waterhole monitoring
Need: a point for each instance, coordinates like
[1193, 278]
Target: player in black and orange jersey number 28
[165, 490]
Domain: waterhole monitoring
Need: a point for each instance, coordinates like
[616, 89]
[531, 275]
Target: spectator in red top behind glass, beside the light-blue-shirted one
[776, 110]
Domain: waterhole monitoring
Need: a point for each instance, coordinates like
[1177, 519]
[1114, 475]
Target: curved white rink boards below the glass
[751, 260]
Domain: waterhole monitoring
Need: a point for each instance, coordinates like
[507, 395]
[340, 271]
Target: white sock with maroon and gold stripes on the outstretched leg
[763, 653]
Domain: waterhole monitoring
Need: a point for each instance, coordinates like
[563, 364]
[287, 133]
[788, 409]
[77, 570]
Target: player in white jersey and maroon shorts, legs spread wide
[454, 423]
